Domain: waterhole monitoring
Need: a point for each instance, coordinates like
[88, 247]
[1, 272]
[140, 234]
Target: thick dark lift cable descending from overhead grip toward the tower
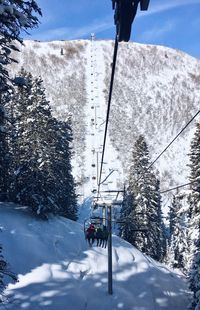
[108, 110]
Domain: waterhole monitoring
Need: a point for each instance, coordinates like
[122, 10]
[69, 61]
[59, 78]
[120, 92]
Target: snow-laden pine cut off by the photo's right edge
[194, 213]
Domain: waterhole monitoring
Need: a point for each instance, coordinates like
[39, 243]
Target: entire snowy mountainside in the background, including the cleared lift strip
[156, 92]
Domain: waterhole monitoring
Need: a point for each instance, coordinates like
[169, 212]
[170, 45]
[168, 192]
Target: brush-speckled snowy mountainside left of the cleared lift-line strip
[62, 67]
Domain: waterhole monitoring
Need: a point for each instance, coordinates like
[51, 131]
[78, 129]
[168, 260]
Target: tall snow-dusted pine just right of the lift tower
[145, 187]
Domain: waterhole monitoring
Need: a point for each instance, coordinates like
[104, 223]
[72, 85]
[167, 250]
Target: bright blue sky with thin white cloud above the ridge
[173, 23]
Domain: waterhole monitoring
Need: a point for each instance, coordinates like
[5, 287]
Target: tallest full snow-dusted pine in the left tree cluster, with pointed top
[29, 114]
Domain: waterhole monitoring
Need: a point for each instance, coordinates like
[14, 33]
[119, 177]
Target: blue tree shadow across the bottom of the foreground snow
[142, 290]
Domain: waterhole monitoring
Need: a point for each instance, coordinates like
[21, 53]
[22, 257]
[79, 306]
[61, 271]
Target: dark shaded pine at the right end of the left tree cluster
[62, 192]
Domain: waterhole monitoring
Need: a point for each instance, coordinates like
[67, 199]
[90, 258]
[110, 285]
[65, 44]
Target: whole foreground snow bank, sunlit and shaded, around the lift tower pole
[58, 271]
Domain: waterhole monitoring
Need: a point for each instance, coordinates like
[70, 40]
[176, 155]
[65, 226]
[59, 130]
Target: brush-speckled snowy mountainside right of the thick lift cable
[156, 93]
